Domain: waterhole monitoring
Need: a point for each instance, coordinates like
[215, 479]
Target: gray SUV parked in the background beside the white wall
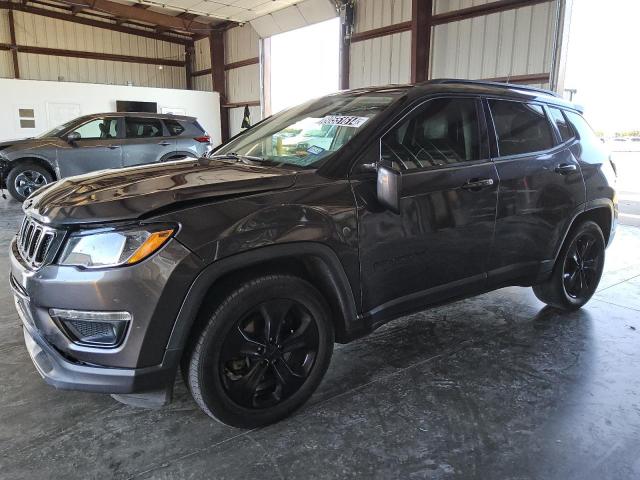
[96, 142]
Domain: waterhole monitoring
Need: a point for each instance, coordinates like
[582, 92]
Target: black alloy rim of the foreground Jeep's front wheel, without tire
[269, 353]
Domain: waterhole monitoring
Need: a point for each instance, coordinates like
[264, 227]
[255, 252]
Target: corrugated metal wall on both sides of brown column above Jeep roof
[516, 43]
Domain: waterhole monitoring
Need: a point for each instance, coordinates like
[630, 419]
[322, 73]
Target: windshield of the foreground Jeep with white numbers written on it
[308, 134]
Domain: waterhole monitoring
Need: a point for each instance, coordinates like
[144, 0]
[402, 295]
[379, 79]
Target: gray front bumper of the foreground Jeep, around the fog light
[151, 291]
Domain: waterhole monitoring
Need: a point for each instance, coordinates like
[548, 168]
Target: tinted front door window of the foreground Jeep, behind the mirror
[445, 131]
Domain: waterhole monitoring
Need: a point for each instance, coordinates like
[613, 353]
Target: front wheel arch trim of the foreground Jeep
[314, 262]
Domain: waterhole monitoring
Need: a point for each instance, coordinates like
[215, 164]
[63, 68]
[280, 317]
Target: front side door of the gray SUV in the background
[97, 148]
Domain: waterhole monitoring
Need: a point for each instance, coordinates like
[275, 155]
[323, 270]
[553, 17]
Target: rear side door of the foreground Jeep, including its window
[541, 190]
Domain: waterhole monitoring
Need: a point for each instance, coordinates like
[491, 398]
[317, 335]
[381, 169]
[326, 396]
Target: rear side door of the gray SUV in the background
[146, 141]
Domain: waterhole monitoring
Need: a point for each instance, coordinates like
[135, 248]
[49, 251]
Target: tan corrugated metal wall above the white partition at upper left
[35, 30]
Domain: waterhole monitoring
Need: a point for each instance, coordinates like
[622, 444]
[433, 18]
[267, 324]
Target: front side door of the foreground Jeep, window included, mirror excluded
[437, 245]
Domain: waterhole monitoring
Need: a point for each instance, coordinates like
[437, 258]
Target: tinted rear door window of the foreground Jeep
[521, 127]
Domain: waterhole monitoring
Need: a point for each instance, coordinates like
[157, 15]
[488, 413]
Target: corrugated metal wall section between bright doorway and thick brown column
[383, 60]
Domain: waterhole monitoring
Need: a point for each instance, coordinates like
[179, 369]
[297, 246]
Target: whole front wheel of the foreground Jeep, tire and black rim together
[262, 353]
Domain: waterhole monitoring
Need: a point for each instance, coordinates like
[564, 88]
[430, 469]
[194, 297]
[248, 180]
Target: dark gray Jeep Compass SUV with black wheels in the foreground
[243, 268]
